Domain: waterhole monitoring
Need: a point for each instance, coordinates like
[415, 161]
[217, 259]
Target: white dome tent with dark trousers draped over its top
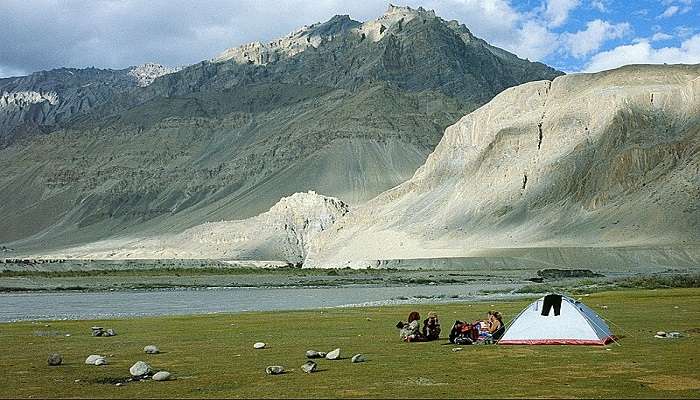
[557, 319]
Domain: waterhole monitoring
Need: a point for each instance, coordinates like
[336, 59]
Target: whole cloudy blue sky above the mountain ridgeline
[570, 35]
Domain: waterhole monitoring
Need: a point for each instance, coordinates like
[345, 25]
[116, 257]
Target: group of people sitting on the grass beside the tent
[485, 331]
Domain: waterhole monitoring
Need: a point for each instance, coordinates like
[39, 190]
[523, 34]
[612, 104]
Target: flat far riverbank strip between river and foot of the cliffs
[26, 275]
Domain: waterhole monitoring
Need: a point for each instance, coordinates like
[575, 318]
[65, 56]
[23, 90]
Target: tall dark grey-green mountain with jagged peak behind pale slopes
[347, 109]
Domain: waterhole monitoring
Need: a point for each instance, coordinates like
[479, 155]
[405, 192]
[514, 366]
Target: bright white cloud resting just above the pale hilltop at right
[643, 53]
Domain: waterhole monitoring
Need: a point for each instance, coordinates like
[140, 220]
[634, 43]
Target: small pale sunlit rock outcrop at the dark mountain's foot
[280, 234]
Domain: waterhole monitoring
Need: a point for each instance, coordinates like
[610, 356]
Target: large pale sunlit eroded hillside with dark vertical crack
[606, 159]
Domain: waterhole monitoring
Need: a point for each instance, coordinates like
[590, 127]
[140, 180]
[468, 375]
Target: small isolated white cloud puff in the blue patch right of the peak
[592, 38]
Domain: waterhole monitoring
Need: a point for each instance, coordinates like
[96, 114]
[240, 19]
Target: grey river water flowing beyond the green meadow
[102, 305]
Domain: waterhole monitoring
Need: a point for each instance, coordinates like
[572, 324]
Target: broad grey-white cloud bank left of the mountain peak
[45, 34]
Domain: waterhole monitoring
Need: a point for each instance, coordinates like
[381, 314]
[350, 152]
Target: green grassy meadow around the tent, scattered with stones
[212, 355]
